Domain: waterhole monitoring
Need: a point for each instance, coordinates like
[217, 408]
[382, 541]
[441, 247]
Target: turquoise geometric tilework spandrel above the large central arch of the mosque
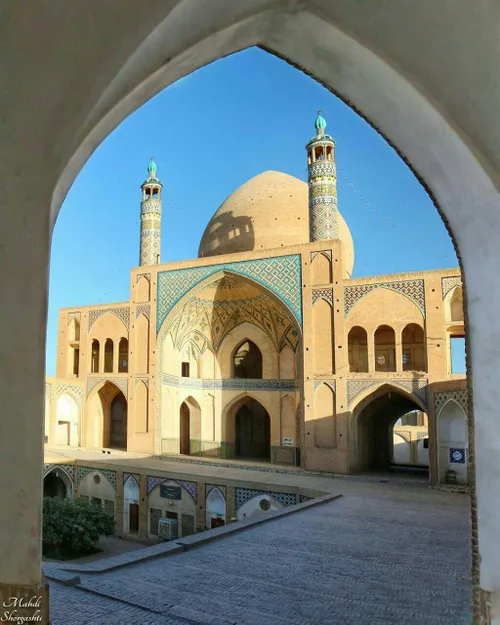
[281, 275]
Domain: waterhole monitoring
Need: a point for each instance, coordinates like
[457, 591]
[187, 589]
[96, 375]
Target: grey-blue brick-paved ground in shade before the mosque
[382, 554]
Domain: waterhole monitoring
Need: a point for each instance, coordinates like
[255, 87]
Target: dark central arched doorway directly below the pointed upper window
[253, 431]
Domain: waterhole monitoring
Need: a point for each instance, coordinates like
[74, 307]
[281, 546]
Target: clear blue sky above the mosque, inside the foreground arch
[209, 133]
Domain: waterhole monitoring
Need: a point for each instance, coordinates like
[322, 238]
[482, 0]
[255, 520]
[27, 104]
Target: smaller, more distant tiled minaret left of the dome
[150, 218]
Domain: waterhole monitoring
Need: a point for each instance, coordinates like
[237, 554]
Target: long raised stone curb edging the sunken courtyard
[67, 573]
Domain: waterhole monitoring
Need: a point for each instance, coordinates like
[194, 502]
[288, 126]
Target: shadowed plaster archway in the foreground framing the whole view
[445, 123]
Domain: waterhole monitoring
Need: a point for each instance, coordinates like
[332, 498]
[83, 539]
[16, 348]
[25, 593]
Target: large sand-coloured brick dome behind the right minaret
[268, 211]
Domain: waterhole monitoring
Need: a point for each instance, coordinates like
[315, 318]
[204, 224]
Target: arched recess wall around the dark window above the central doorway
[246, 330]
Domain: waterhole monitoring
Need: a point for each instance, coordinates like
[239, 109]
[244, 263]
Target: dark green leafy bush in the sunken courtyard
[71, 528]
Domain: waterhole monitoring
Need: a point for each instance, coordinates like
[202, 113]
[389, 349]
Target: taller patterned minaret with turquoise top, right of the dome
[322, 179]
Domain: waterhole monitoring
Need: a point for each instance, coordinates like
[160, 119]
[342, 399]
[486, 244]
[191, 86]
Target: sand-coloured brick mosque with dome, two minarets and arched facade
[264, 348]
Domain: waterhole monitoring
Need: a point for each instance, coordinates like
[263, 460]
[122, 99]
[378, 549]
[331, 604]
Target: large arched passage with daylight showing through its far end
[380, 447]
